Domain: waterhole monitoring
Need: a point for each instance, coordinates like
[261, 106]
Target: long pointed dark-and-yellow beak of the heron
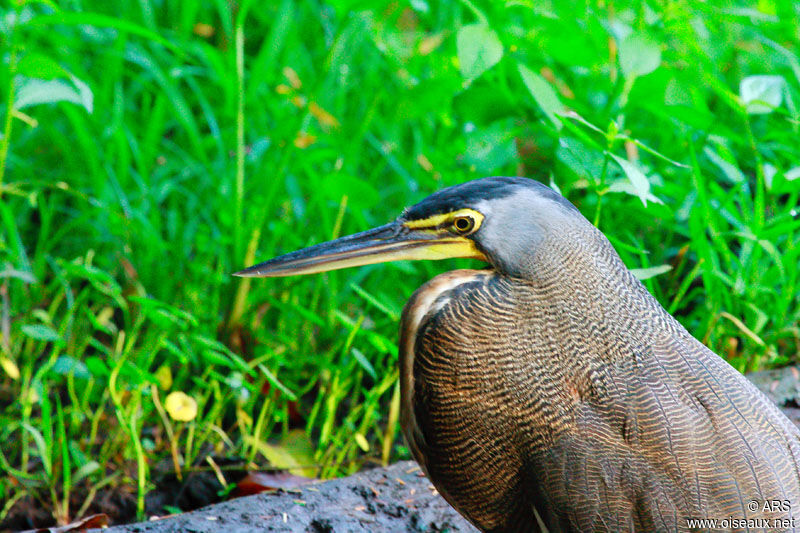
[392, 242]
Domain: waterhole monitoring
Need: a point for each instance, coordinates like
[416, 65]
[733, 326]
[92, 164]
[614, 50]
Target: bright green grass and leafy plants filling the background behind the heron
[219, 138]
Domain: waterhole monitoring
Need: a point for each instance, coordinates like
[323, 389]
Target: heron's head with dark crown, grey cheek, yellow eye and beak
[498, 220]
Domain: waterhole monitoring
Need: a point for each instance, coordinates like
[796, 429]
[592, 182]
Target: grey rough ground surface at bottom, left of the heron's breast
[397, 498]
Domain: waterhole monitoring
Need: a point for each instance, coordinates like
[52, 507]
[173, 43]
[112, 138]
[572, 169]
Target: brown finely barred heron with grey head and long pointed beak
[551, 391]
